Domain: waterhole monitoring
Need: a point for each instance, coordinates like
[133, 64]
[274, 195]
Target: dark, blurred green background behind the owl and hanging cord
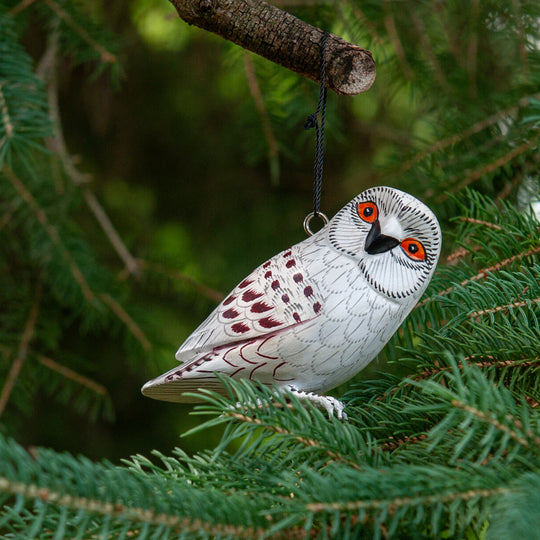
[178, 156]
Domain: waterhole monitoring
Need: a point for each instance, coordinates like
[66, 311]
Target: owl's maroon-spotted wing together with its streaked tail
[275, 298]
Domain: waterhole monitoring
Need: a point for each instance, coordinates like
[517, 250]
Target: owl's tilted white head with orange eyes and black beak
[395, 238]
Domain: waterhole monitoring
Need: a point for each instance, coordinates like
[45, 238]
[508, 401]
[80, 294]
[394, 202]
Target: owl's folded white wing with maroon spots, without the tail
[276, 295]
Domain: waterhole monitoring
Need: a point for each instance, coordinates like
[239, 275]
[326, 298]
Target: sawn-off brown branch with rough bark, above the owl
[283, 39]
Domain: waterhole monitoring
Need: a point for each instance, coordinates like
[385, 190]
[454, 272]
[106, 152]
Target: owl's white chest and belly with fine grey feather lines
[354, 322]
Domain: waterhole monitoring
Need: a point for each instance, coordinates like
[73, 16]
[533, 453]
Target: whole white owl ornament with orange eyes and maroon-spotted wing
[314, 315]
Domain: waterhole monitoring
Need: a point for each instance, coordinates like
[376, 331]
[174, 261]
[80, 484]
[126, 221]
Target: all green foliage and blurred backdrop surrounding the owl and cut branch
[444, 442]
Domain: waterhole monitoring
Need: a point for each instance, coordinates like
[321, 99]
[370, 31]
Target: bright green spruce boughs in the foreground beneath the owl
[296, 473]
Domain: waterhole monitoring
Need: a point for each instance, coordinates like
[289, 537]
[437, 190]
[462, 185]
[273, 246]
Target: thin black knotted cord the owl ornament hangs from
[316, 120]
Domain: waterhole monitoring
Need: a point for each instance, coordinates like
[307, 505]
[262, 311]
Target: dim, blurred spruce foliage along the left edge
[52, 281]
